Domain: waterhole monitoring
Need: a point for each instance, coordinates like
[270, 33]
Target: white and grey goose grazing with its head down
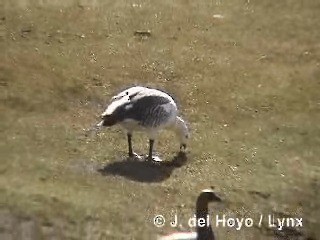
[148, 110]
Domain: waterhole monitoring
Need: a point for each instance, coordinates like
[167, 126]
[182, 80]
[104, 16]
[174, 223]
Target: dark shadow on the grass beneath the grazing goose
[144, 171]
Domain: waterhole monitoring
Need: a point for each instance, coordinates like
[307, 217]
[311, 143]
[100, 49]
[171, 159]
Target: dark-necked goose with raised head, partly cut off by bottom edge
[202, 233]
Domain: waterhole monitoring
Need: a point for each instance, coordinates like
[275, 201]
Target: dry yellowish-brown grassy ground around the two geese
[248, 85]
